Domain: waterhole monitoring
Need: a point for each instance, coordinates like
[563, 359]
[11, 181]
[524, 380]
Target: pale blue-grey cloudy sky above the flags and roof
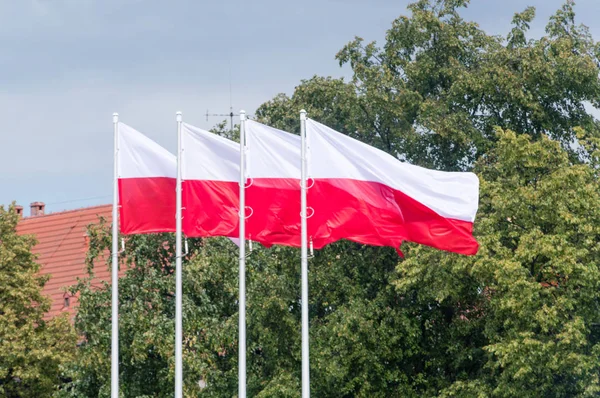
[67, 65]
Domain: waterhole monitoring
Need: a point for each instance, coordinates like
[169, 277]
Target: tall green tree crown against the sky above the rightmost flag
[435, 91]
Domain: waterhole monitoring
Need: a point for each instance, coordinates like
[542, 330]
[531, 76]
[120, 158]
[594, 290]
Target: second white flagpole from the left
[178, 286]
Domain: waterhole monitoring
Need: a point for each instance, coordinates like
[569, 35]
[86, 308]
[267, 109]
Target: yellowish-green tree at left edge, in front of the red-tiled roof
[32, 349]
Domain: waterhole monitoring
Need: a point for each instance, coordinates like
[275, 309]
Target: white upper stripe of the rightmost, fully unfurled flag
[337, 156]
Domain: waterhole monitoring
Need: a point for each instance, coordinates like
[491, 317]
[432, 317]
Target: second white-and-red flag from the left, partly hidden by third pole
[210, 173]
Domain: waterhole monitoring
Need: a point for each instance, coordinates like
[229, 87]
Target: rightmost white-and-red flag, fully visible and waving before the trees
[363, 194]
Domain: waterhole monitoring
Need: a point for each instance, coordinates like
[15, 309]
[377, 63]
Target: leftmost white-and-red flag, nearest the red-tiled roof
[146, 178]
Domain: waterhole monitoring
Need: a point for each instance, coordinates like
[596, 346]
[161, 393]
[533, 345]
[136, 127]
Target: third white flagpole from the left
[242, 286]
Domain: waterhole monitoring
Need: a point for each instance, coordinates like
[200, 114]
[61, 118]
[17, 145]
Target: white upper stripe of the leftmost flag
[140, 157]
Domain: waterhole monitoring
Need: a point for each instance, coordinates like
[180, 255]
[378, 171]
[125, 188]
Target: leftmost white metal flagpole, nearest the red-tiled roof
[114, 351]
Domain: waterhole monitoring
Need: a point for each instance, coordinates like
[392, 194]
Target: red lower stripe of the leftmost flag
[147, 205]
